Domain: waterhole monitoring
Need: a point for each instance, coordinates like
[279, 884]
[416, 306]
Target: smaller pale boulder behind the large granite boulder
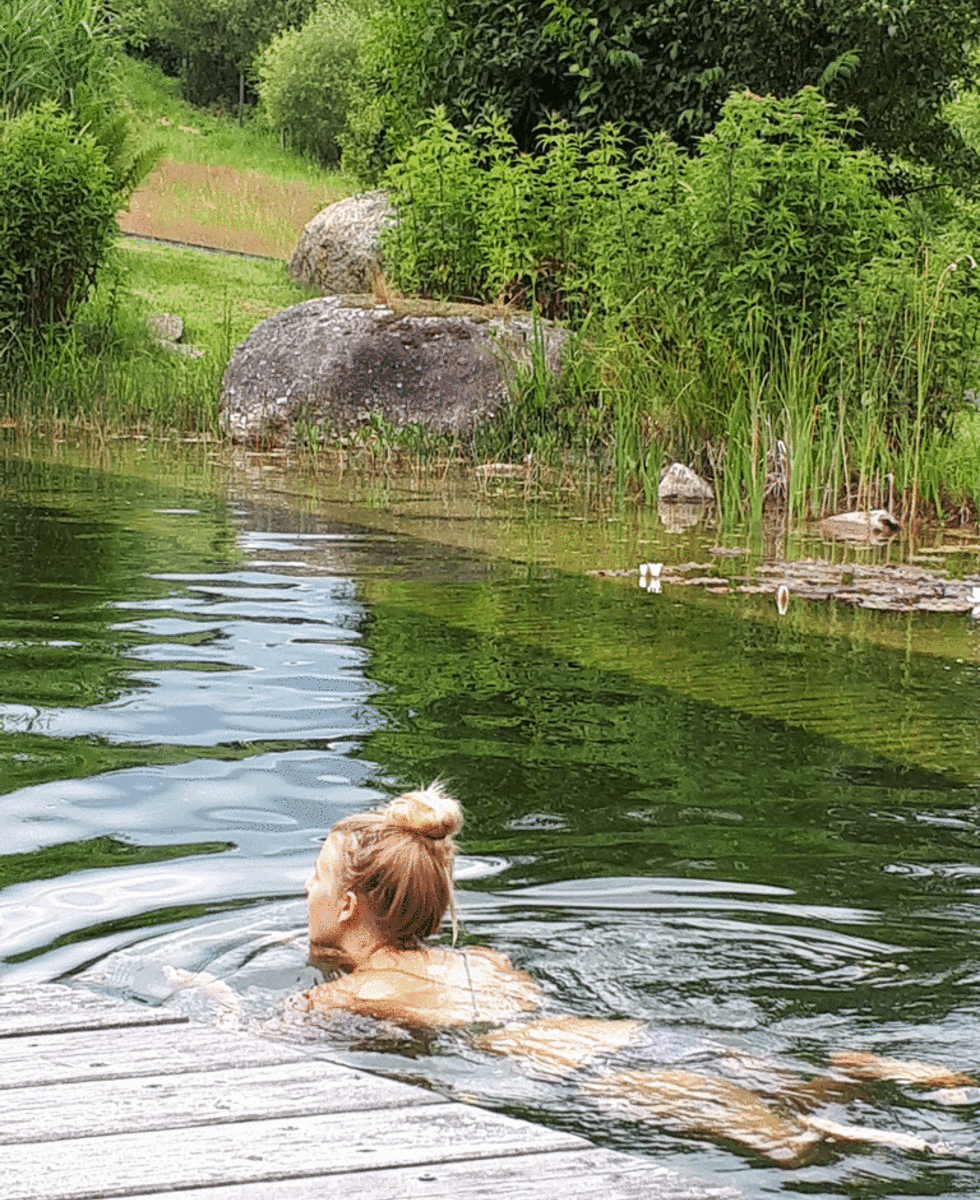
[340, 250]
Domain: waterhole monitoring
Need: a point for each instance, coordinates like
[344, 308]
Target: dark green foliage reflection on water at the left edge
[75, 543]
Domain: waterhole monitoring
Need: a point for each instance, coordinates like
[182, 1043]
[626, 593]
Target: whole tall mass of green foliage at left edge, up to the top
[68, 157]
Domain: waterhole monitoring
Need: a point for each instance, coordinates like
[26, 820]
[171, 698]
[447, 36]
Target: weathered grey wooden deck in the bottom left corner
[106, 1099]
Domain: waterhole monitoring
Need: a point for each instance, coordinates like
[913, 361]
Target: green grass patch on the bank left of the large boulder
[107, 374]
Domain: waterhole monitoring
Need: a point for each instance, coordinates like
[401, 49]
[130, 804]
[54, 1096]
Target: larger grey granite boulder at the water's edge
[335, 362]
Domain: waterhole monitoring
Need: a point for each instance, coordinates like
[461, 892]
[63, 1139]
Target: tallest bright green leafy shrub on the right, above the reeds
[779, 214]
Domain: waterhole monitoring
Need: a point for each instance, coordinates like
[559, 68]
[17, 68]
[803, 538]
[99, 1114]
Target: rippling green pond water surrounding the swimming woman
[682, 808]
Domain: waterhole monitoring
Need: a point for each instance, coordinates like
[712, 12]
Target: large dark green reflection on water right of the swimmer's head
[532, 701]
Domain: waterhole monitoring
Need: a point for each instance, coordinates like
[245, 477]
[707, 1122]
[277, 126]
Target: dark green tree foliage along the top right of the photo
[670, 65]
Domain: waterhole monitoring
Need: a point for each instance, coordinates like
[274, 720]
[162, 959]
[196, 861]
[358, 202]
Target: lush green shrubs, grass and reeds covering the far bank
[761, 241]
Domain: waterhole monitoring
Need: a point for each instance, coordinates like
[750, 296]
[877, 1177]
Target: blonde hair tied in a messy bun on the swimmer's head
[400, 860]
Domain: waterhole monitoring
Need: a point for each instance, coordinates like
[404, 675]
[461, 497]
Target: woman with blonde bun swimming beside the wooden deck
[381, 889]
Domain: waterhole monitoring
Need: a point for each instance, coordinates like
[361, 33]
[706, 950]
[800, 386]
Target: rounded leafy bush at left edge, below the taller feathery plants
[58, 201]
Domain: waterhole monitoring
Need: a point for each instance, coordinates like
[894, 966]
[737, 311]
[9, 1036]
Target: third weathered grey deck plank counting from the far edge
[57, 1112]
